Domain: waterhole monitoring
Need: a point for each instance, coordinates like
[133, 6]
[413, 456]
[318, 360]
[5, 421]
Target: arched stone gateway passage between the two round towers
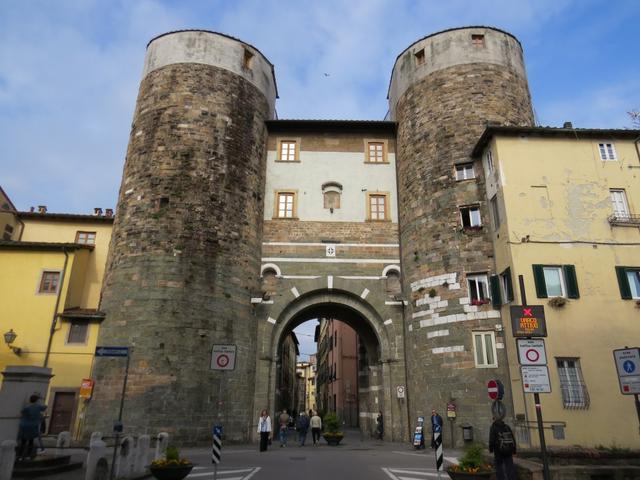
[357, 362]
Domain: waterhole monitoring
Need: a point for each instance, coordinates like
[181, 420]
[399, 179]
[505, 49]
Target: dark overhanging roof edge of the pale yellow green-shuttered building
[574, 133]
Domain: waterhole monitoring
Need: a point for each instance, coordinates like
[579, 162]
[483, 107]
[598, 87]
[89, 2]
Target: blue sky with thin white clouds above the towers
[70, 71]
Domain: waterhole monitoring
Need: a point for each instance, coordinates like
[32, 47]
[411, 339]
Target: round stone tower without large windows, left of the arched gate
[184, 258]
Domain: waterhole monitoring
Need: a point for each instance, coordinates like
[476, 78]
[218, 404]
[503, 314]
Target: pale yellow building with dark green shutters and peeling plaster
[563, 208]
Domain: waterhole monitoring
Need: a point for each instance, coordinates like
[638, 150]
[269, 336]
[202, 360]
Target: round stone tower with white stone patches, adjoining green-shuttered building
[445, 89]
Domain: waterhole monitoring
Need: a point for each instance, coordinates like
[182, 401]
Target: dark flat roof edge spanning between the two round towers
[295, 125]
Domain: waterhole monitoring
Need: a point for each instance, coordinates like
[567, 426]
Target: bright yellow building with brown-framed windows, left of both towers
[52, 268]
